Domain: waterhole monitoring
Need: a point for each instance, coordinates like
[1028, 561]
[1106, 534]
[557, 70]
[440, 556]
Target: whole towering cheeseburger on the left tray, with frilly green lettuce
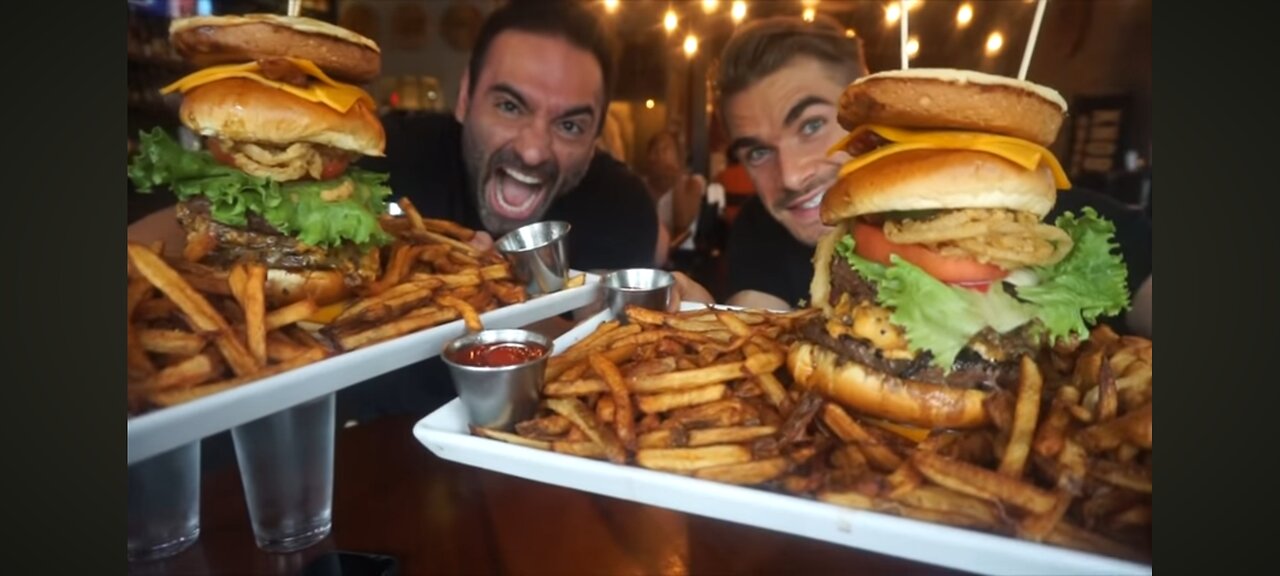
[281, 121]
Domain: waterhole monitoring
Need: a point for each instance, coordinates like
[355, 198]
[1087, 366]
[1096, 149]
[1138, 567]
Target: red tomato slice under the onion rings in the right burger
[872, 245]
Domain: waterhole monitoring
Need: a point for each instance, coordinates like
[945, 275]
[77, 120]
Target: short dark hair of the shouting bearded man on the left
[568, 20]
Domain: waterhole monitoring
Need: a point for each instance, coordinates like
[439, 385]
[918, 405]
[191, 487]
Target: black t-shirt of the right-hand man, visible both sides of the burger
[765, 257]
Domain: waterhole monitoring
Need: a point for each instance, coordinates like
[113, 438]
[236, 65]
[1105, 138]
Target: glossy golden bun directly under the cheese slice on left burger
[250, 112]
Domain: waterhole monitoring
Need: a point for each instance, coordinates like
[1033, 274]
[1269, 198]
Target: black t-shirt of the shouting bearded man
[614, 220]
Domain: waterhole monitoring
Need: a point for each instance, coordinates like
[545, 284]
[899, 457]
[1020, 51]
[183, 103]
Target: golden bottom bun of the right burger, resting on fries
[880, 395]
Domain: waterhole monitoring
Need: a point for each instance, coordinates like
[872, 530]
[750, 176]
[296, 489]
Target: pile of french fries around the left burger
[196, 331]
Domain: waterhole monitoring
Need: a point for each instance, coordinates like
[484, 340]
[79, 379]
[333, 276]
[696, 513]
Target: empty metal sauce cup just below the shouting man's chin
[540, 255]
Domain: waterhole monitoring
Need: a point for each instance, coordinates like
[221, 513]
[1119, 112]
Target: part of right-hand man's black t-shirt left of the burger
[765, 257]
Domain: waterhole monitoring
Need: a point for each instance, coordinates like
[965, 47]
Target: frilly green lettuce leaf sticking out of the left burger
[296, 208]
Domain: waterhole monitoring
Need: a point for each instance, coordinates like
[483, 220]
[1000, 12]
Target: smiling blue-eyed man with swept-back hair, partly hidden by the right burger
[780, 83]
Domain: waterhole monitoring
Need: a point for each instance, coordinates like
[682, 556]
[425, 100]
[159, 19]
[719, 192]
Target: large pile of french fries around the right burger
[707, 395]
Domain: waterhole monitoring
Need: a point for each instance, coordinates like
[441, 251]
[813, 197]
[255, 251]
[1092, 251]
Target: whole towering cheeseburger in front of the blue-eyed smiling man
[941, 272]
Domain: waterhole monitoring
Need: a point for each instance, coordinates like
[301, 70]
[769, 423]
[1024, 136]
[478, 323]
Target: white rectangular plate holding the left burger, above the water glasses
[170, 428]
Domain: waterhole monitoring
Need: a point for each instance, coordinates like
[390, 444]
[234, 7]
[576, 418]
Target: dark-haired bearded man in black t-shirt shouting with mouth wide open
[520, 145]
